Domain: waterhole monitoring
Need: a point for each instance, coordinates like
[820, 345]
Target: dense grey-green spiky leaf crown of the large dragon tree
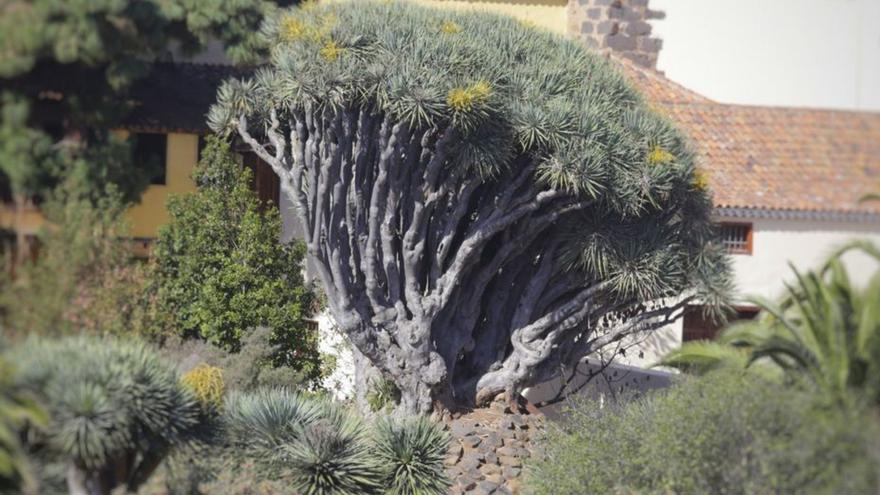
[515, 95]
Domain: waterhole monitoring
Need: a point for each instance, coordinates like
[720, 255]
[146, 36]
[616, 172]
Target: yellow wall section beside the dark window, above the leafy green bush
[181, 158]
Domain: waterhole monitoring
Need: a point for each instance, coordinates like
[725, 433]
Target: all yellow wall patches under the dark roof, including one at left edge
[145, 217]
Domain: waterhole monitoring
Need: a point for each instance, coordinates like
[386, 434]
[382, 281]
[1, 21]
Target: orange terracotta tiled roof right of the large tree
[774, 158]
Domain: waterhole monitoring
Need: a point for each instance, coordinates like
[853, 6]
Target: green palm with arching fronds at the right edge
[824, 329]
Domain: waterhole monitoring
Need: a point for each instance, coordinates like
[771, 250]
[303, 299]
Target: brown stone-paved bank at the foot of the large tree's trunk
[488, 450]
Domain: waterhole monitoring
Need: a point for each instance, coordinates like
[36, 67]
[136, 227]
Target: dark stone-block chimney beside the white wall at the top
[619, 26]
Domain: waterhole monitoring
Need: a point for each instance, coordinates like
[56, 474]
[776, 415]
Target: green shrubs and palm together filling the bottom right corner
[783, 404]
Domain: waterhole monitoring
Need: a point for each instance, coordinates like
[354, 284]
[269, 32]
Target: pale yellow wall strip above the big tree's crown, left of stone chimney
[548, 14]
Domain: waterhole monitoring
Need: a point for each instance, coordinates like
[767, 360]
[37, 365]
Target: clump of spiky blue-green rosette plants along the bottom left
[122, 416]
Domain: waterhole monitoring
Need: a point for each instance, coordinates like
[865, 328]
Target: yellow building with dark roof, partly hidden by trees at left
[167, 128]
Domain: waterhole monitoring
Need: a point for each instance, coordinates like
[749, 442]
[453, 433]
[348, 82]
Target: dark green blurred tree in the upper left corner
[65, 71]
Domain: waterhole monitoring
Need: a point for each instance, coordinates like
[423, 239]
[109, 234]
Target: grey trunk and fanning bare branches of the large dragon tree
[447, 281]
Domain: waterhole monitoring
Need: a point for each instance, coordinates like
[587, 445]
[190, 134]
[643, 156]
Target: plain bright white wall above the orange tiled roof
[812, 53]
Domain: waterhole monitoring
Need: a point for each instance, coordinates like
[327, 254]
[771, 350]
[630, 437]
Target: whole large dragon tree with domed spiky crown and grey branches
[484, 202]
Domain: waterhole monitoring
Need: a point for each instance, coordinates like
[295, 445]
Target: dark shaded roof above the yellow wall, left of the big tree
[175, 97]
